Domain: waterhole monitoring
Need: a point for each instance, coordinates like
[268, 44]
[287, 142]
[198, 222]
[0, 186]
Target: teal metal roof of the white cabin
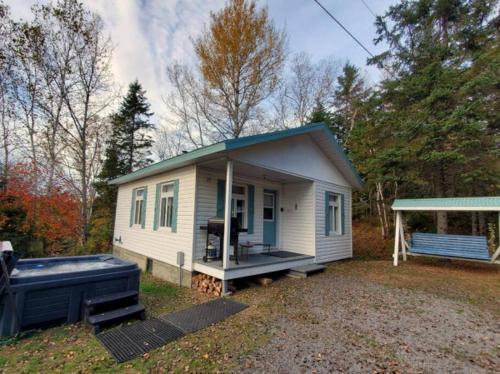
[233, 144]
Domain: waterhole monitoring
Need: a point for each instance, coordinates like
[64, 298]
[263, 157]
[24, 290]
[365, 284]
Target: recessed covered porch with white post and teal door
[290, 213]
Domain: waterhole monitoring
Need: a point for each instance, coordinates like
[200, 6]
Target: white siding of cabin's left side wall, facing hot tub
[161, 245]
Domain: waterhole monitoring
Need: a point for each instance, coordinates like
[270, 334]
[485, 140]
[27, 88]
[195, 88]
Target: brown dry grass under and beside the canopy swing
[475, 283]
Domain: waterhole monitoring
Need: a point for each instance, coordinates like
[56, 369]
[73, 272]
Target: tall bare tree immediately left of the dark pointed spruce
[86, 94]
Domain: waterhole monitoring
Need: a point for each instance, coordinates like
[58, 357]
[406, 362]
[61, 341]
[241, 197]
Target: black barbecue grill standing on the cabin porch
[215, 227]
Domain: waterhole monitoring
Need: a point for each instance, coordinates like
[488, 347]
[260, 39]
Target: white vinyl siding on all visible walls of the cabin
[299, 213]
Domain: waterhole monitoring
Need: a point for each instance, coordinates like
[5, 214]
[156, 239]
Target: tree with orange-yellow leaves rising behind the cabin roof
[241, 57]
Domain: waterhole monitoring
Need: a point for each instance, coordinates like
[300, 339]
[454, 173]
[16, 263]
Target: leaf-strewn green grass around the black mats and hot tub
[73, 348]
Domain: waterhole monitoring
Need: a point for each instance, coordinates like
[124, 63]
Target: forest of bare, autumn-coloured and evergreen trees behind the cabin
[429, 128]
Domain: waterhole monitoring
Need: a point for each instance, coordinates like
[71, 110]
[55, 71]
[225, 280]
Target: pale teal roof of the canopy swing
[485, 203]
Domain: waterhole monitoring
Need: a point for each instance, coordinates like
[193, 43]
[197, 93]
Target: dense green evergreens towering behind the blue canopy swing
[430, 128]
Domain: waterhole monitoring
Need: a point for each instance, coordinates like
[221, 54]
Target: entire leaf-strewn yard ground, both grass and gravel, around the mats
[358, 316]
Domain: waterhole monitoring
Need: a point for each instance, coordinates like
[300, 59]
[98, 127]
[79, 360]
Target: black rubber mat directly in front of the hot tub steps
[132, 341]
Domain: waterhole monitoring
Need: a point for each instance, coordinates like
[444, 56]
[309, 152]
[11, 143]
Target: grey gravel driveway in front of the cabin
[346, 324]
